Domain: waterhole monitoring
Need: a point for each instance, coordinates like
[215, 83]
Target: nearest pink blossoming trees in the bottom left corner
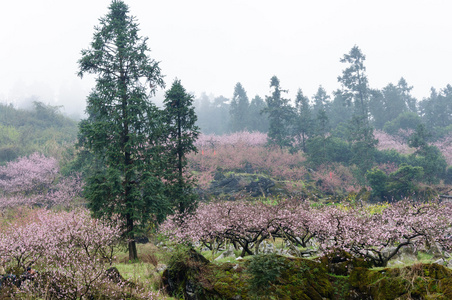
[70, 251]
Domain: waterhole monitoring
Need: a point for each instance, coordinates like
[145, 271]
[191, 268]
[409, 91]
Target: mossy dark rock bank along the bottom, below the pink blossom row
[278, 277]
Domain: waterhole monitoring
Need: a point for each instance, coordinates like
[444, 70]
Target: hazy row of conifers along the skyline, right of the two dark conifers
[390, 109]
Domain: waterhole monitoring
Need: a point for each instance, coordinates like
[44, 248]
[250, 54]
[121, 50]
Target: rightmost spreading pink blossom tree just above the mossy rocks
[379, 236]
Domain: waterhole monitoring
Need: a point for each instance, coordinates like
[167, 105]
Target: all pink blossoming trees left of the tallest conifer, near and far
[70, 250]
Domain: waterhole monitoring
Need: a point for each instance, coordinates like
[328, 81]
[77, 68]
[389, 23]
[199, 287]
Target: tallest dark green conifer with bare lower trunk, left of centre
[124, 129]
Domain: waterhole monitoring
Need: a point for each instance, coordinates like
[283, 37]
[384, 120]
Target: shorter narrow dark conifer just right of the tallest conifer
[180, 119]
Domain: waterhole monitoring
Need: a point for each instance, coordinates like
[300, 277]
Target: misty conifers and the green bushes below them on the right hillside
[339, 128]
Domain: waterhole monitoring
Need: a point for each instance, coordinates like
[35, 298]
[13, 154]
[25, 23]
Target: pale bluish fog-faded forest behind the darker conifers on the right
[391, 109]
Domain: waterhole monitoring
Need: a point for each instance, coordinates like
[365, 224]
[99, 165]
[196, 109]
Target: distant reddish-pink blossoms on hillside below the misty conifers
[247, 152]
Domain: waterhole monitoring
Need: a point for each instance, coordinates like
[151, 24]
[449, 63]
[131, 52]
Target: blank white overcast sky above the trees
[211, 45]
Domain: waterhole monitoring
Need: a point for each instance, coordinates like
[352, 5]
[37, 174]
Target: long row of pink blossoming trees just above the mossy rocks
[358, 230]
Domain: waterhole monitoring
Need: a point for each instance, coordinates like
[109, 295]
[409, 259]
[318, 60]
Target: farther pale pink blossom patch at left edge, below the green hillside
[35, 181]
